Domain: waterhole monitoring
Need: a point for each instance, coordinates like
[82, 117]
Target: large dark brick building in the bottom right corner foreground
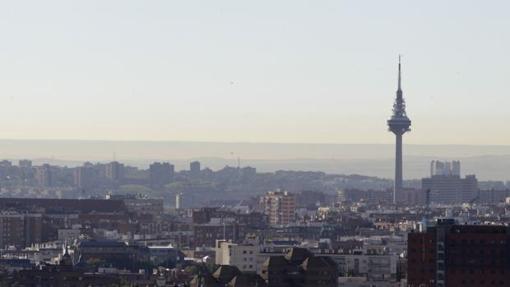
[459, 255]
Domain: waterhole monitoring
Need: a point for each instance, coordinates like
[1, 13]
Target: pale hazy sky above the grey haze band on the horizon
[256, 71]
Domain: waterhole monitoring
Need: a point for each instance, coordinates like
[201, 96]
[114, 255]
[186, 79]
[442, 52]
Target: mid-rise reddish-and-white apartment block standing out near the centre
[279, 206]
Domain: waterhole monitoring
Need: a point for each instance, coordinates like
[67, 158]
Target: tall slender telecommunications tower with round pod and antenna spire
[398, 124]
